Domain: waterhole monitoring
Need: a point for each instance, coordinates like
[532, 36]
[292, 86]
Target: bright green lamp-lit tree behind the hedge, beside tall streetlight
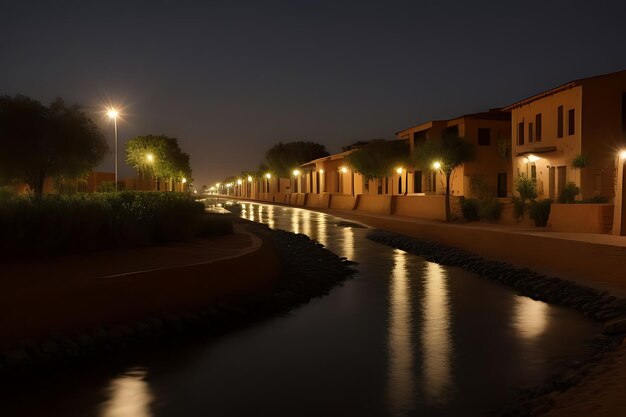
[159, 156]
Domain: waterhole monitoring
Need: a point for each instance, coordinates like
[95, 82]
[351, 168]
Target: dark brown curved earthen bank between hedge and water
[66, 309]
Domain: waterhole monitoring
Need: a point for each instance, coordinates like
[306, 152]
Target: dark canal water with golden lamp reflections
[403, 337]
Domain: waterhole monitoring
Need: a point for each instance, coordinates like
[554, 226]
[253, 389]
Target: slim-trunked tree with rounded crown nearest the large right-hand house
[448, 152]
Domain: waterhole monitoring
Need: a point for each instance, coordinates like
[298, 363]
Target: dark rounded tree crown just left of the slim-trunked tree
[376, 160]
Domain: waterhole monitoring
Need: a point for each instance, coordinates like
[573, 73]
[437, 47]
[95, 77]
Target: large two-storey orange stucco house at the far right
[555, 131]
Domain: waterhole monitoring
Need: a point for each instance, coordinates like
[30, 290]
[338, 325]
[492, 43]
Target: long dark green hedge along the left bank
[82, 222]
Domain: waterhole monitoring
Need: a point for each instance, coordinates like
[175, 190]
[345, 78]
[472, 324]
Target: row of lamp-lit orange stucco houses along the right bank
[575, 132]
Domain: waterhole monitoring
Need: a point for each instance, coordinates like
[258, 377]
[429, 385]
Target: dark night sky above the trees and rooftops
[231, 78]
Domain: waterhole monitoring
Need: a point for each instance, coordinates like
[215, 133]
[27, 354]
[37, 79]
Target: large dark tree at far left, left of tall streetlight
[37, 142]
